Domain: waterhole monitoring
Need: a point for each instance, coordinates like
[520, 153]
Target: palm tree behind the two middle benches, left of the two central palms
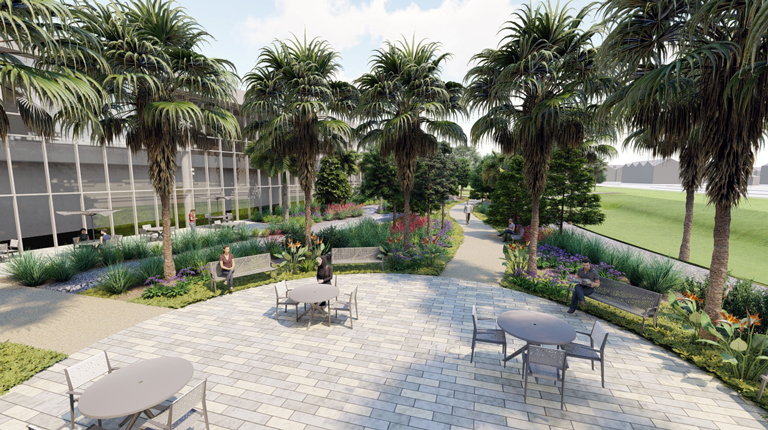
[292, 92]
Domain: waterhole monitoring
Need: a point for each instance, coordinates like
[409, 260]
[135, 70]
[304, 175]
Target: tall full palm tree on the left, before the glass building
[162, 93]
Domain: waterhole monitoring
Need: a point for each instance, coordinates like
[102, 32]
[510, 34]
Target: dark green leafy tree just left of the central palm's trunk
[379, 179]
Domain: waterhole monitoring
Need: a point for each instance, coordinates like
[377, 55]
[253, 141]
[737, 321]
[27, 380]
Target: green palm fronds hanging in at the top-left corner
[40, 44]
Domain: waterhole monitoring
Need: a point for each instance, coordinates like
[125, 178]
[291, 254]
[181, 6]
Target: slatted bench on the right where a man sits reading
[635, 300]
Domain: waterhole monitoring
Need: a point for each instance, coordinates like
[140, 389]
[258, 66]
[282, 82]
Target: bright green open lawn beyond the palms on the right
[654, 220]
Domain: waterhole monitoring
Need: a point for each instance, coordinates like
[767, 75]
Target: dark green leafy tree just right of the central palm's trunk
[435, 182]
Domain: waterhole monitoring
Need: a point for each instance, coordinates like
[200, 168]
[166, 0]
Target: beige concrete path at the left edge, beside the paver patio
[64, 322]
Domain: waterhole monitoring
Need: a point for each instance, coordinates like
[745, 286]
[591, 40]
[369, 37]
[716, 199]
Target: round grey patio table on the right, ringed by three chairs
[535, 328]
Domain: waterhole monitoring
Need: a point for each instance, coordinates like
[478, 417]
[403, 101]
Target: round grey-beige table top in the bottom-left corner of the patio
[135, 388]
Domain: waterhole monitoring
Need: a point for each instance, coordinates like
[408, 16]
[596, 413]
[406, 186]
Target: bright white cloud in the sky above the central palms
[463, 27]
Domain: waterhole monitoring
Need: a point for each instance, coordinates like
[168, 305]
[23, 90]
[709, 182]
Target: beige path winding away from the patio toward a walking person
[479, 257]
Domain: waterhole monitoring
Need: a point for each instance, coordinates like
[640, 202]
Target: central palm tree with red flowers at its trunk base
[405, 108]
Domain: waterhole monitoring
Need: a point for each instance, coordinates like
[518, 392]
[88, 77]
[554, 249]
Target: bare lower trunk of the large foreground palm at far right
[718, 268]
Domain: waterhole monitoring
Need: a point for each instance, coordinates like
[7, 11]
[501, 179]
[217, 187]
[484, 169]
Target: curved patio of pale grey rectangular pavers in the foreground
[404, 365]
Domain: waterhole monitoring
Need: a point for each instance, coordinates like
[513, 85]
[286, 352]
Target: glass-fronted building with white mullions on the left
[39, 178]
